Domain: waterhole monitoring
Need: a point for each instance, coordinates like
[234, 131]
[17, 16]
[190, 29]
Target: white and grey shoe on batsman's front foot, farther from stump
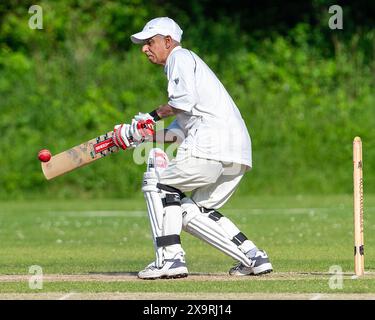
[172, 268]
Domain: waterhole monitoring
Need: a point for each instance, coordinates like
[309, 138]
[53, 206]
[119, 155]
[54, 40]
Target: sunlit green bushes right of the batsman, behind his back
[303, 112]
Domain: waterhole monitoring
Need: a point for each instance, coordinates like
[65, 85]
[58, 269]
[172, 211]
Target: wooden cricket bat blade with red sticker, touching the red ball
[79, 156]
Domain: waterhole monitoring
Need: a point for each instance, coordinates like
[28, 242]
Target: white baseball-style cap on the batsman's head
[164, 26]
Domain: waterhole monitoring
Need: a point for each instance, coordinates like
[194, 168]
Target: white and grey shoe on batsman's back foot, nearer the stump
[260, 264]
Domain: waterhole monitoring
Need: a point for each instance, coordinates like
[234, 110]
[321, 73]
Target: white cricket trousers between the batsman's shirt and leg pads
[212, 182]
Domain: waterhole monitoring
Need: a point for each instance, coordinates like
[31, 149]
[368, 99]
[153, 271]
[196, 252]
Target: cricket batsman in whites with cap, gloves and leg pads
[214, 154]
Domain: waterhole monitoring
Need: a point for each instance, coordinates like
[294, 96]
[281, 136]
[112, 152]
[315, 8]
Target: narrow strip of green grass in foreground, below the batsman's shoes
[274, 286]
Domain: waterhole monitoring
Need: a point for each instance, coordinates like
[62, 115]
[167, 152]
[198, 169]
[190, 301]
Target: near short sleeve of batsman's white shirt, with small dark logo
[182, 93]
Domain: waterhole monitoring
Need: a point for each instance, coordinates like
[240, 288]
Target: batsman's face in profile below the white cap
[156, 49]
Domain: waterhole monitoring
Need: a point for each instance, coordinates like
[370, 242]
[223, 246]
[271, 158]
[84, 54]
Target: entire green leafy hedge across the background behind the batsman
[81, 76]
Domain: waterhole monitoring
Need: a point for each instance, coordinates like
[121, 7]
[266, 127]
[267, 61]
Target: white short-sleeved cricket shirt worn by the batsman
[209, 118]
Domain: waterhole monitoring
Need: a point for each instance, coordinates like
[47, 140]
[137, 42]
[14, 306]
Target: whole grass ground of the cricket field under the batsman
[105, 242]
